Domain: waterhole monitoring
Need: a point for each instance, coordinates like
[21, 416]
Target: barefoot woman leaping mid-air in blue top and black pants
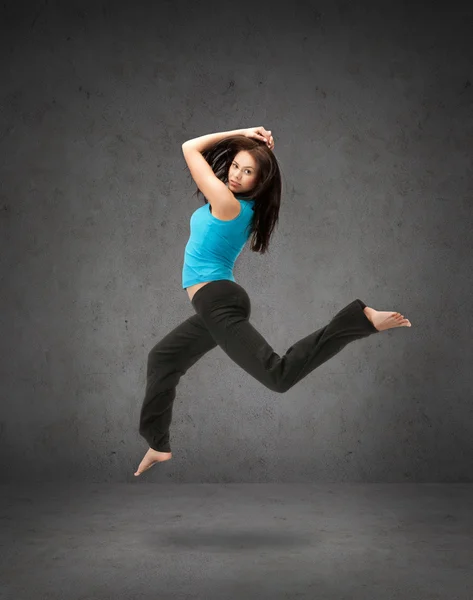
[238, 174]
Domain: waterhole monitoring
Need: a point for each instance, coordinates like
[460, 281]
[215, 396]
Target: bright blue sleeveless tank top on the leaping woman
[214, 245]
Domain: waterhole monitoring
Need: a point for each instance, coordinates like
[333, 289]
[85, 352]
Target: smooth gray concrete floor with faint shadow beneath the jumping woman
[225, 541]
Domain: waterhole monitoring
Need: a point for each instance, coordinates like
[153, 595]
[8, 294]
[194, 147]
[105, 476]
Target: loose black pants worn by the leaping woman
[222, 319]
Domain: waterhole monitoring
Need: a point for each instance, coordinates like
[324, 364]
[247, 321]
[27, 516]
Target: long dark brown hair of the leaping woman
[266, 193]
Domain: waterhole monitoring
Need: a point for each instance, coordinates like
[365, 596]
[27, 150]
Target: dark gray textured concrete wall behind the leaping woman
[370, 105]
